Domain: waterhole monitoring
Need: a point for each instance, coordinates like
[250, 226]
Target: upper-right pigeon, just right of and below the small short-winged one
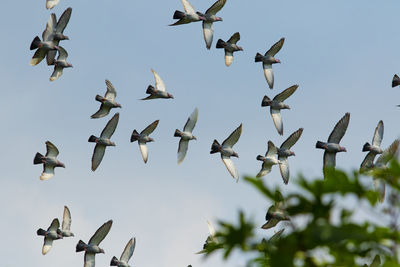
[268, 59]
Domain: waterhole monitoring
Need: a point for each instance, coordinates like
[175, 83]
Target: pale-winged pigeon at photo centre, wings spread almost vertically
[186, 135]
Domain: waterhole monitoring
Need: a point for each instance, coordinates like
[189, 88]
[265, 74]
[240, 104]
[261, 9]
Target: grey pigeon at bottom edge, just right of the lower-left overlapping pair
[92, 248]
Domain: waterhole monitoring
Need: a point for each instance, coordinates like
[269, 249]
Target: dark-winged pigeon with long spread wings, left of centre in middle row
[103, 141]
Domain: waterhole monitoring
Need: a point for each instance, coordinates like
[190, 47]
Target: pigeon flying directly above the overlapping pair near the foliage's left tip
[276, 105]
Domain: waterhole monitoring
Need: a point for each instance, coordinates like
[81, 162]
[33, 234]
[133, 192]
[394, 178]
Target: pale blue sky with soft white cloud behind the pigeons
[342, 54]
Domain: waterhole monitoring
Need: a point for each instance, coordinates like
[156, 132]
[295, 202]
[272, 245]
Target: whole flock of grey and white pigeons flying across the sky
[49, 46]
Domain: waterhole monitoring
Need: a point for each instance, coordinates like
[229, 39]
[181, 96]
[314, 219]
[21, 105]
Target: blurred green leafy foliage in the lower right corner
[337, 221]
